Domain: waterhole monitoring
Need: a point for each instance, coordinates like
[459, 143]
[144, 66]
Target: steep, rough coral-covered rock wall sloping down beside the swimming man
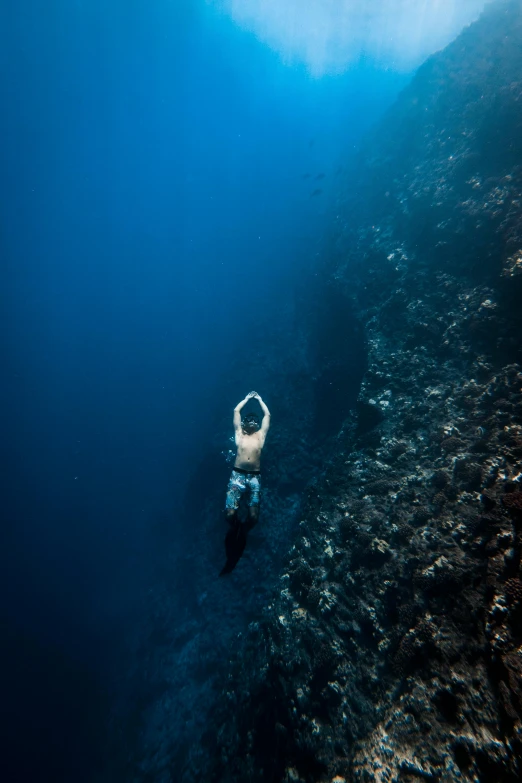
[394, 651]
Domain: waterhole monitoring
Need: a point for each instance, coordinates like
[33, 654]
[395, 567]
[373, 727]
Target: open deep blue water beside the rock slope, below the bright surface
[154, 212]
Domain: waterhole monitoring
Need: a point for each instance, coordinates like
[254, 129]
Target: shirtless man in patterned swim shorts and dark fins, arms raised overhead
[246, 478]
